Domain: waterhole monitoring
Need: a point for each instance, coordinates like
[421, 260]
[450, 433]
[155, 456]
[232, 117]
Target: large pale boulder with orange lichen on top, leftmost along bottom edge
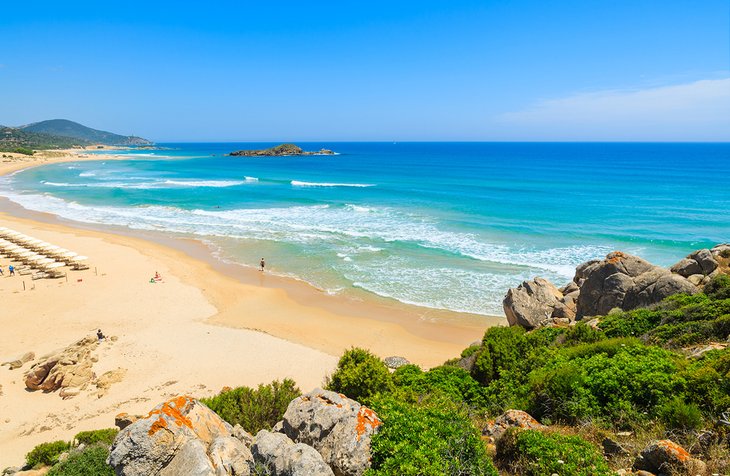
[179, 436]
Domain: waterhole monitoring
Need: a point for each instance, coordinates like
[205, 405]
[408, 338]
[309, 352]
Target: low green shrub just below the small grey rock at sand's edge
[452, 382]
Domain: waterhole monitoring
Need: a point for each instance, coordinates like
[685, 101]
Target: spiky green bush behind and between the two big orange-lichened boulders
[254, 410]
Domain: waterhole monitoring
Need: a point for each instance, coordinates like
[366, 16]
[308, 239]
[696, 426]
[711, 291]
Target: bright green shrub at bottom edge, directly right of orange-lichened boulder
[433, 438]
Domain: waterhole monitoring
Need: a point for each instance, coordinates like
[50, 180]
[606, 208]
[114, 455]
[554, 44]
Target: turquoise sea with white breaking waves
[442, 225]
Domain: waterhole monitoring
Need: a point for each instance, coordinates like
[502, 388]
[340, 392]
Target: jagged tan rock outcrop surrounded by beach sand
[68, 369]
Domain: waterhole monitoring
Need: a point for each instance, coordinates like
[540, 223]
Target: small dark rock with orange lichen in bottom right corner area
[667, 457]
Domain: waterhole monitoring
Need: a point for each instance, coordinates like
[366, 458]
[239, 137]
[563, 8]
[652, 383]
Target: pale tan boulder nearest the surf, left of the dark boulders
[535, 303]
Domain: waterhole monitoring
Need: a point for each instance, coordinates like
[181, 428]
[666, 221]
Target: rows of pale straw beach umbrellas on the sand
[35, 254]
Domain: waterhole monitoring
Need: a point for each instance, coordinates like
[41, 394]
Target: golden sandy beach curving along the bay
[205, 326]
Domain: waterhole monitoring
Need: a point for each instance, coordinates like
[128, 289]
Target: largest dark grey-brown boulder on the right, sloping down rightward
[626, 282]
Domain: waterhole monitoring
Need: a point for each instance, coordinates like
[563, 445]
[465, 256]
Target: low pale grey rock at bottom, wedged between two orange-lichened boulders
[280, 456]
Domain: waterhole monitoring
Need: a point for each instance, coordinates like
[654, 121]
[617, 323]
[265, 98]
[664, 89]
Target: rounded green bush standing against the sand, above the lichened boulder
[359, 375]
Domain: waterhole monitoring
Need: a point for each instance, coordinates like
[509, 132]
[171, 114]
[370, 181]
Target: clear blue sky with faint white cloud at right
[489, 70]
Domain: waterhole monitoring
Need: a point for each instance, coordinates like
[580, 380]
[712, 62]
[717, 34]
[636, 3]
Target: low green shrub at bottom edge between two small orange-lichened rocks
[532, 453]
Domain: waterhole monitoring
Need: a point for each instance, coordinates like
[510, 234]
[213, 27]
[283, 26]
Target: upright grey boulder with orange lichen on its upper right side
[336, 426]
